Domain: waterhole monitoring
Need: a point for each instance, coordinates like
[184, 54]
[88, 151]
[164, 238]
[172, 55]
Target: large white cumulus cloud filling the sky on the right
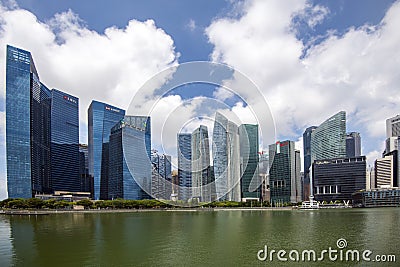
[357, 72]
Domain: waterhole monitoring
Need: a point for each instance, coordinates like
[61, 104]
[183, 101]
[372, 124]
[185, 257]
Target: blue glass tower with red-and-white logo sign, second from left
[64, 142]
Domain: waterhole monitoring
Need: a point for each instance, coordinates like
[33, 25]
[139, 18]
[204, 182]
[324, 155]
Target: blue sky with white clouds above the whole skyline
[310, 59]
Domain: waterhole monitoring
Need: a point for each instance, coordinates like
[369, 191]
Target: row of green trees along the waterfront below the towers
[35, 203]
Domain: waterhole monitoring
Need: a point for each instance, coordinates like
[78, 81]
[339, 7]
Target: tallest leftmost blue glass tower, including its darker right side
[28, 105]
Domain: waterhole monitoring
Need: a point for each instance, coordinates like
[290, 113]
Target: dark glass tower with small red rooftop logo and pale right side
[284, 176]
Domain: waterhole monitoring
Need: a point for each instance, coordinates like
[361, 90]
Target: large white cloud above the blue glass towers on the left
[108, 67]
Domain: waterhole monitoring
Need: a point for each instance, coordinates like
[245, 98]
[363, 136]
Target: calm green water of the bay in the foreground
[193, 238]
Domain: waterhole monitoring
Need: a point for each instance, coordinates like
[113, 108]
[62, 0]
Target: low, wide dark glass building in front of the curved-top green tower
[338, 179]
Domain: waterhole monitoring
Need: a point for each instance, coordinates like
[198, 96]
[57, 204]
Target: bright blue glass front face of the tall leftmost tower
[18, 139]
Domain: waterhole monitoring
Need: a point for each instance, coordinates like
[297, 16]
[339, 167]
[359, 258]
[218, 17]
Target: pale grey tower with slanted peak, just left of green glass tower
[226, 159]
